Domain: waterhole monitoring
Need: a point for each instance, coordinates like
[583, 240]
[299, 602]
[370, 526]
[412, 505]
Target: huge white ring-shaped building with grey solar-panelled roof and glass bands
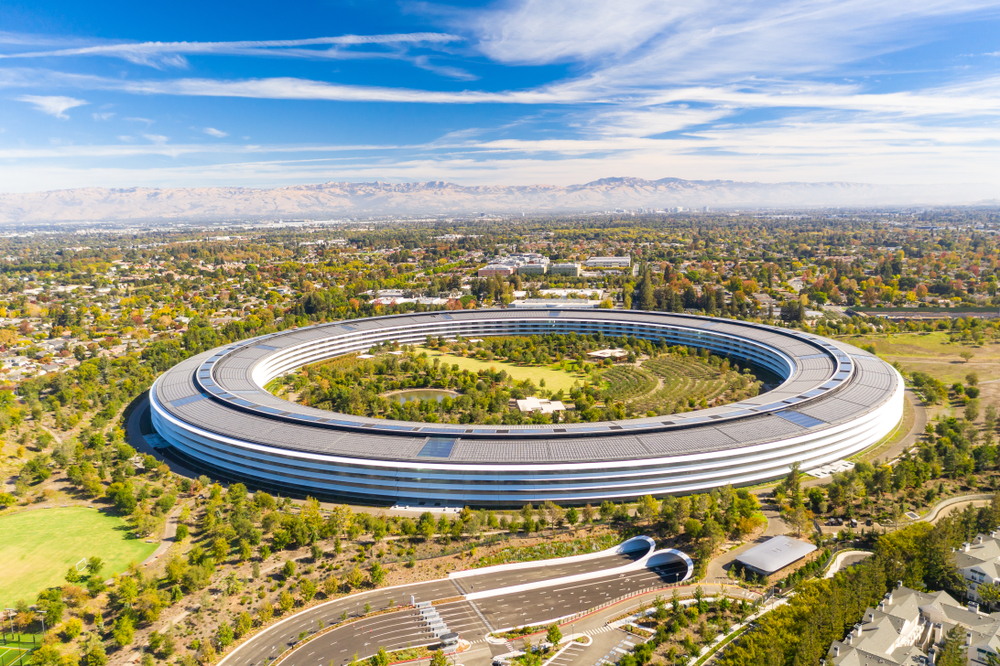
[213, 414]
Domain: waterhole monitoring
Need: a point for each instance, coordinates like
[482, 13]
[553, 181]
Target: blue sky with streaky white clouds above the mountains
[186, 94]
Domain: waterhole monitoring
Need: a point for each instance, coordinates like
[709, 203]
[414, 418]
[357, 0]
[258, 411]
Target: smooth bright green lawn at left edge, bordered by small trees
[38, 547]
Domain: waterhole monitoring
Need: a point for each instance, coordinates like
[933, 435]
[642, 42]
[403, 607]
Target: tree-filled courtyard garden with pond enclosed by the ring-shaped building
[477, 381]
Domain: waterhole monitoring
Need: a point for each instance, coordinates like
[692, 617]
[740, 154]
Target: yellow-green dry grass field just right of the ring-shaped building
[933, 354]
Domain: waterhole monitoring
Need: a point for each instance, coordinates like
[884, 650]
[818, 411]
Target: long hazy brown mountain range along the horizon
[362, 199]
